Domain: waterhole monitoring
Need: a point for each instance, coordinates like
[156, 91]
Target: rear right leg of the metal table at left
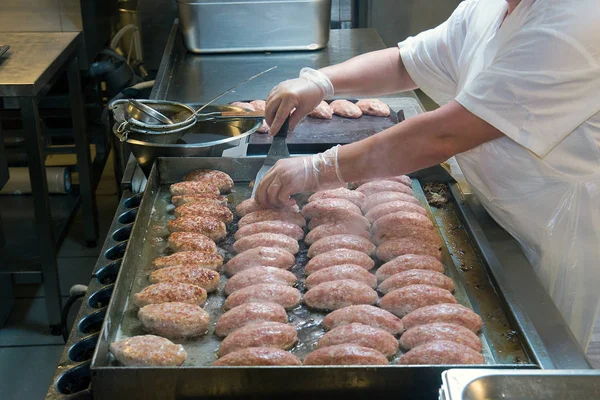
[88, 199]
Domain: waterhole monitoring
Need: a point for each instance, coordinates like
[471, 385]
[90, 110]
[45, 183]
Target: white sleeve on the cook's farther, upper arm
[430, 58]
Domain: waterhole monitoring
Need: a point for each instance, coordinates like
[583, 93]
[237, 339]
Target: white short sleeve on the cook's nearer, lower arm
[541, 85]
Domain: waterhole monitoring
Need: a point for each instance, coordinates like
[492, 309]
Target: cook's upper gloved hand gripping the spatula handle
[300, 95]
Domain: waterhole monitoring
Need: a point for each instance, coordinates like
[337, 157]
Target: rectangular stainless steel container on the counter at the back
[217, 26]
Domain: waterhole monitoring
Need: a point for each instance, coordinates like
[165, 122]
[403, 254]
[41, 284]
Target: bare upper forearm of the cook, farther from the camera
[371, 74]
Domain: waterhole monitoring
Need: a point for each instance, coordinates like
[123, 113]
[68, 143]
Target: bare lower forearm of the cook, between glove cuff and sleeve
[419, 142]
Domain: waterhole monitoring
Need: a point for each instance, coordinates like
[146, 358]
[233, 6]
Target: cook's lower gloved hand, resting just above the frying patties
[299, 174]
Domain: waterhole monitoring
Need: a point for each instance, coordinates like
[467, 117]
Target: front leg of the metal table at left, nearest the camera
[43, 216]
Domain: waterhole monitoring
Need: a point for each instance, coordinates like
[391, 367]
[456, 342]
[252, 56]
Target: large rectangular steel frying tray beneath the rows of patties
[503, 346]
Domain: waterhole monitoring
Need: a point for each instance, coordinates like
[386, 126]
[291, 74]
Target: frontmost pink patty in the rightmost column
[441, 352]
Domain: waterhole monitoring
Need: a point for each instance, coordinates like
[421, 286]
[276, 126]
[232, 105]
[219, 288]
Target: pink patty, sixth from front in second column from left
[260, 256]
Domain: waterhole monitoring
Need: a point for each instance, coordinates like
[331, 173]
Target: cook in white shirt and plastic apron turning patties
[518, 84]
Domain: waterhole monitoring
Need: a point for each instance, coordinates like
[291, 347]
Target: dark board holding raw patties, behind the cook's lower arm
[316, 135]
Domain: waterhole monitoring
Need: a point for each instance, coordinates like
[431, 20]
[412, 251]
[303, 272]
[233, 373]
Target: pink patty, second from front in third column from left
[361, 335]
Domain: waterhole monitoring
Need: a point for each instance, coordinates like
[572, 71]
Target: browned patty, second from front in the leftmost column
[174, 320]
